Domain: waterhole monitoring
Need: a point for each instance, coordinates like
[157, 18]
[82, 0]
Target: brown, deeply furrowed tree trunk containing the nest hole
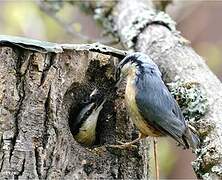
[39, 88]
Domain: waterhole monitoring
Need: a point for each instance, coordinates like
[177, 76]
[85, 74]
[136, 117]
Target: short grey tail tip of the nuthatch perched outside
[191, 139]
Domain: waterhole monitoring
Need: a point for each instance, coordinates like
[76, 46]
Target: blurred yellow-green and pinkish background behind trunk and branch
[198, 21]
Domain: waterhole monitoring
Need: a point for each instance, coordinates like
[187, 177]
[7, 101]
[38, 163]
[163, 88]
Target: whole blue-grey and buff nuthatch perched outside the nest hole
[151, 107]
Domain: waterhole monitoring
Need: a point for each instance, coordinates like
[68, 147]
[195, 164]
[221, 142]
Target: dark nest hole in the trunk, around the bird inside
[78, 93]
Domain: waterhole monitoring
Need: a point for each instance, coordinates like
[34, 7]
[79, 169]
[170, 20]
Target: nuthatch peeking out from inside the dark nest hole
[84, 126]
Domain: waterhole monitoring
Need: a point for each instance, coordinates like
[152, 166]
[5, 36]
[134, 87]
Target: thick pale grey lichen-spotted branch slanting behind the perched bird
[141, 28]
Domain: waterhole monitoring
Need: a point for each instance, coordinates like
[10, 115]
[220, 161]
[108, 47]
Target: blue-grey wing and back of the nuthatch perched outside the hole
[157, 106]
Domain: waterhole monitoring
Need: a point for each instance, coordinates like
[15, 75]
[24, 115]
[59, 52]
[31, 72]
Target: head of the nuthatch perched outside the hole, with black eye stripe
[139, 61]
